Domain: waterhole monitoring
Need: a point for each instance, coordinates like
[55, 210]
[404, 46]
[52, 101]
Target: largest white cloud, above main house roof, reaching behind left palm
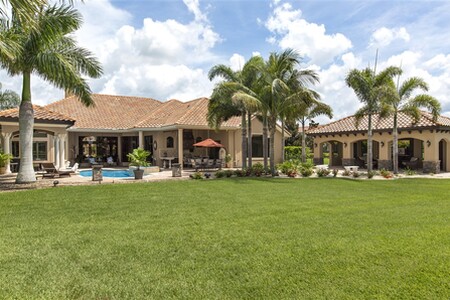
[160, 59]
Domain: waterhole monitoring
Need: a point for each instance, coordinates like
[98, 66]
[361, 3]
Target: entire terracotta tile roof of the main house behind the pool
[121, 112]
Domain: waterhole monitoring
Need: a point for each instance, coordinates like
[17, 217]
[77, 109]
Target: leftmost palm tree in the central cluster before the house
[222, 106]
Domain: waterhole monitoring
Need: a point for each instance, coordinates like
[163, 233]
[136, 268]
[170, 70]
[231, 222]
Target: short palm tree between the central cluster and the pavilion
[307, 110]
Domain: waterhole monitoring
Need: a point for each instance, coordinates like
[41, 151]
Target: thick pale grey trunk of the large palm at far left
[26, 123]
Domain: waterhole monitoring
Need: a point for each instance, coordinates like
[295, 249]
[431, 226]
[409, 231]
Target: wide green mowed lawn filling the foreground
[228, 239]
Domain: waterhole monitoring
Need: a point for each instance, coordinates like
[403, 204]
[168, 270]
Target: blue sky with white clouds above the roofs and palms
[164, 49]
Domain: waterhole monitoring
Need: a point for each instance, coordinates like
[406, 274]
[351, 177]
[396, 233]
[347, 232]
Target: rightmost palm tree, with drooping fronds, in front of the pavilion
[400, 99]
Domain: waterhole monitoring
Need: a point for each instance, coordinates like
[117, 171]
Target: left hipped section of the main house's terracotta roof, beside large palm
[109, 112]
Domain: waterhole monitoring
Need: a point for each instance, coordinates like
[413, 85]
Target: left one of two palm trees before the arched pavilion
[368, 87]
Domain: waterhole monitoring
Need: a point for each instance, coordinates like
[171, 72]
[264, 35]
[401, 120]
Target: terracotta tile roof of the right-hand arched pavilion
[381, 124]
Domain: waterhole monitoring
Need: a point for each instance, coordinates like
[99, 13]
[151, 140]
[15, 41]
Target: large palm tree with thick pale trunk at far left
[47, 50]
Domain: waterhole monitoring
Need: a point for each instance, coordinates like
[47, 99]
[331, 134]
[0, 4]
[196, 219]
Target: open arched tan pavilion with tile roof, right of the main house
[422, 144]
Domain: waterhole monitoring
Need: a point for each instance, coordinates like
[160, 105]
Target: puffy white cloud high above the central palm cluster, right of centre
[291, 31]
